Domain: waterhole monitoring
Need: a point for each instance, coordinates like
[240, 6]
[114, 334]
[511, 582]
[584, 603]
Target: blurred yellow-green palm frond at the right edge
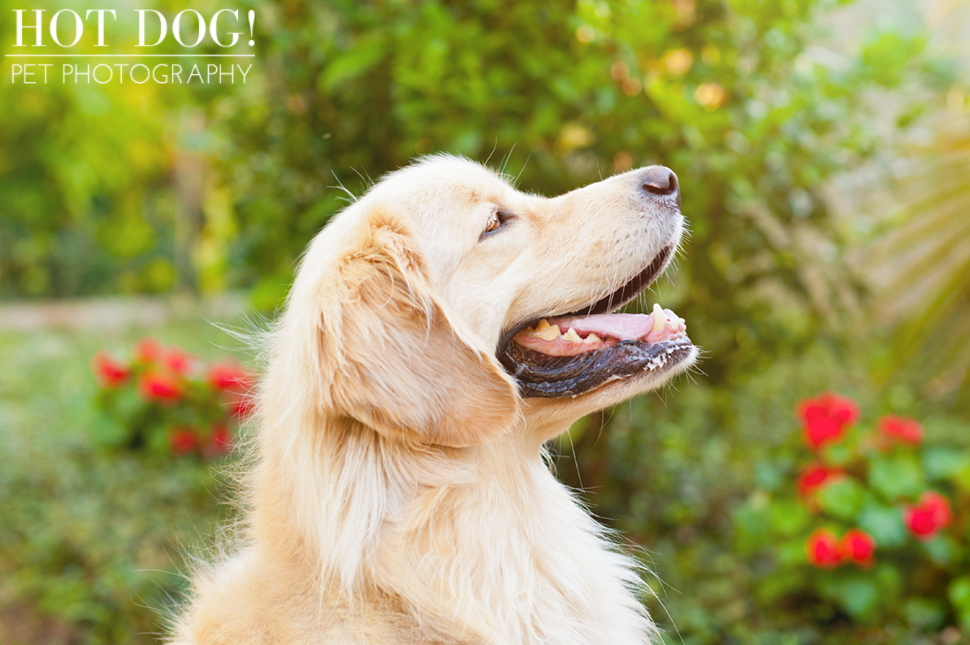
[921, 267]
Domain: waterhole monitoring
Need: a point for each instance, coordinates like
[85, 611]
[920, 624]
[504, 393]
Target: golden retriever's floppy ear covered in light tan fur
[399, 362]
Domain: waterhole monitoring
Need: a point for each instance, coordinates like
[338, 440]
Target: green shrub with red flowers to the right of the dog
[875, 528]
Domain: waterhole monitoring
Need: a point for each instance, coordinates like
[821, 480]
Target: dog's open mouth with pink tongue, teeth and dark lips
[568, 355]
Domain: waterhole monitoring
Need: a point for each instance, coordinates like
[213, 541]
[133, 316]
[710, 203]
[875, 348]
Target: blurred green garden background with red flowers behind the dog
[824, 153]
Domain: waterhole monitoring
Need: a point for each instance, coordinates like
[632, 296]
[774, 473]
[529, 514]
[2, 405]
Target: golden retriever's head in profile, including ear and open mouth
[444, 304]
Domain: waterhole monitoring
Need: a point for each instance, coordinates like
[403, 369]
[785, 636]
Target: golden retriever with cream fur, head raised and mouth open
[440, 330]
